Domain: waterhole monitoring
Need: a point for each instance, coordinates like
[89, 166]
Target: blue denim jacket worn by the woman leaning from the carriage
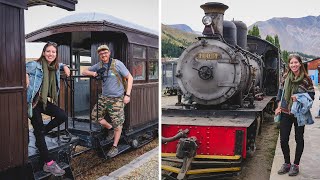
[35, 72]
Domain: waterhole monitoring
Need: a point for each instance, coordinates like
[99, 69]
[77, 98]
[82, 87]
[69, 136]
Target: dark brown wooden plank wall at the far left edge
[13, 116]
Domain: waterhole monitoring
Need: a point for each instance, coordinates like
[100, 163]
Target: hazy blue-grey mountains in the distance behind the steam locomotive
[295, 34]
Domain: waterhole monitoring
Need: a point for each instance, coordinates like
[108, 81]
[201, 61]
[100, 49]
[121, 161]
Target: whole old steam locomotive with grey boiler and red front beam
[229, 80]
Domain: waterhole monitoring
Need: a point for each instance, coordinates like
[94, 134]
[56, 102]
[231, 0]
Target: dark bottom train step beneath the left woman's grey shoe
[45, 175]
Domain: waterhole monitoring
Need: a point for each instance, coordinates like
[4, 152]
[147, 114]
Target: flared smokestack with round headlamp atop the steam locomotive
[213, 19]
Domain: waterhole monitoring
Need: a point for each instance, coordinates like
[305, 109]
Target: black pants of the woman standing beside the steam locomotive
[285, 129]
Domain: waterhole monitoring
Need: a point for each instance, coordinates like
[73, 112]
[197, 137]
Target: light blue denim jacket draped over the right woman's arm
[301, 109]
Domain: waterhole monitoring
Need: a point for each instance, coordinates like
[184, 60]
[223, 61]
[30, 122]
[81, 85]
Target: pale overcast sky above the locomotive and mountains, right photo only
[249, 11]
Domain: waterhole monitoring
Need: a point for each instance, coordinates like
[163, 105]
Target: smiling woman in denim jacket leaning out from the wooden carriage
[43, 81]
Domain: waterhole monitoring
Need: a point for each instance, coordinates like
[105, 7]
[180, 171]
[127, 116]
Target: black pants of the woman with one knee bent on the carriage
[40, 130]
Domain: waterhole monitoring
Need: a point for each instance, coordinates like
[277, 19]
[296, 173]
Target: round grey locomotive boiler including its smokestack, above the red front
[216, 69]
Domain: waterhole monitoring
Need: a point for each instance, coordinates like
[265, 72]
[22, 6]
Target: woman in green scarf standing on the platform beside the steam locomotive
[296, 80]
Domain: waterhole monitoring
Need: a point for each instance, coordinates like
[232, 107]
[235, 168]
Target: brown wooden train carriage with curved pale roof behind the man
[78, 37]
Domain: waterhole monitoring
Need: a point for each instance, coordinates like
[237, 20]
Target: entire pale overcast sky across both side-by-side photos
[145, 13]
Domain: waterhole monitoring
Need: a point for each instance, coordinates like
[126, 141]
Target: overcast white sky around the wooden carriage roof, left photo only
[141, 12]
